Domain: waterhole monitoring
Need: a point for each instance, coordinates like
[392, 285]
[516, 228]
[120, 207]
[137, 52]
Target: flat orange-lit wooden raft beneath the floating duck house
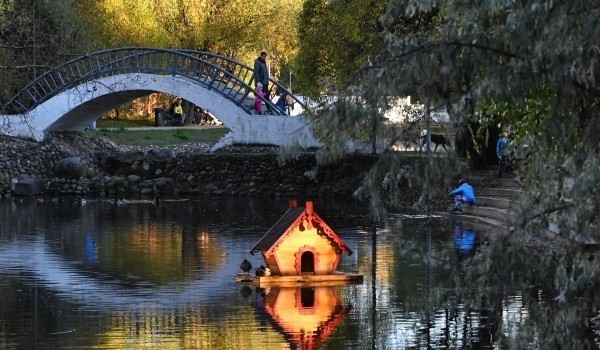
[335, 279]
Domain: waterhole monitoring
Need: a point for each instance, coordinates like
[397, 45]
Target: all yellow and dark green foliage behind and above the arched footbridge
[68, 29]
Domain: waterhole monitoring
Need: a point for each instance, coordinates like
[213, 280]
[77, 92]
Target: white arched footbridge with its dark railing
[77, 93]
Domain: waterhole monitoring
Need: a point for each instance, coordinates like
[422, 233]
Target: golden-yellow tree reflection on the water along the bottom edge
[188, 327]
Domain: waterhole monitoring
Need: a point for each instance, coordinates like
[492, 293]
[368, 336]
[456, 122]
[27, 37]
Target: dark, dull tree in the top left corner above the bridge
[35, 36]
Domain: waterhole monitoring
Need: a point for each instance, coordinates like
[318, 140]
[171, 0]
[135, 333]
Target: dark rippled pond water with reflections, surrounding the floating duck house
[138, 276]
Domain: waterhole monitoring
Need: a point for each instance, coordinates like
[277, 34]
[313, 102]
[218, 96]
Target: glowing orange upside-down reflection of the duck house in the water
[305, 316]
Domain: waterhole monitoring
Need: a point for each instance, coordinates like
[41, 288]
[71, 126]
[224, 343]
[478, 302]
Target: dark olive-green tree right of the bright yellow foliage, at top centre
[337, 37]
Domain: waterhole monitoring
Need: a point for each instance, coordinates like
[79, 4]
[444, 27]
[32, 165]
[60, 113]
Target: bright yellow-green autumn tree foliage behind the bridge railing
[233, 28]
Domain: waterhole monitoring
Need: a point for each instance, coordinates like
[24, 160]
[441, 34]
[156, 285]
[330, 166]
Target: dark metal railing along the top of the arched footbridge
[227, 77]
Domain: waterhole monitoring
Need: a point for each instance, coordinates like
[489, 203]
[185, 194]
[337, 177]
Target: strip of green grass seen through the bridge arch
[158, 136]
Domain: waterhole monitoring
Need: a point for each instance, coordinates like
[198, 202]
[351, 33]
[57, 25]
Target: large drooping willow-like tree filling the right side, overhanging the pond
[530, 66]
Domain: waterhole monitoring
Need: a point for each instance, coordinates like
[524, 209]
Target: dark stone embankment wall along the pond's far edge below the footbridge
[107, 171]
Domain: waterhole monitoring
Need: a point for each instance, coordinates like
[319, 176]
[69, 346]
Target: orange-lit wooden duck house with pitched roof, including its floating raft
[299, 249]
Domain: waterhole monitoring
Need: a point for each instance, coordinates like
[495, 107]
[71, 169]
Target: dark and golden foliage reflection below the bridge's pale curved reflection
[31, 316]
